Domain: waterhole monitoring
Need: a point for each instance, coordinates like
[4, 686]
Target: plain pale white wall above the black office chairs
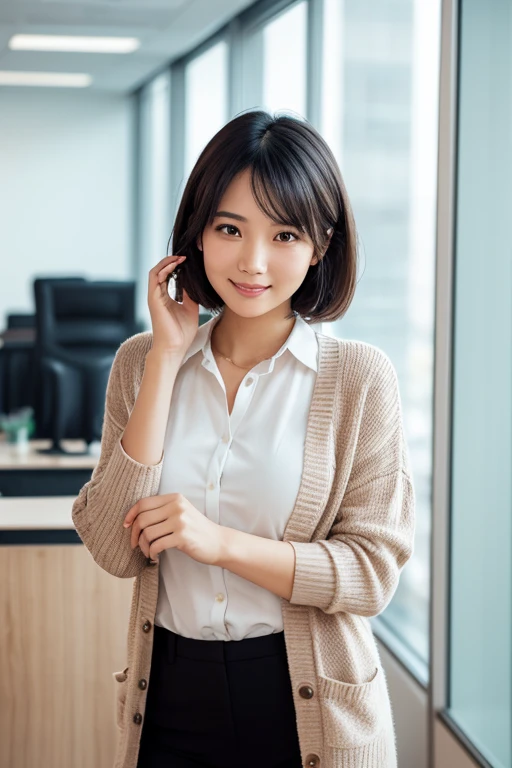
[66, 164]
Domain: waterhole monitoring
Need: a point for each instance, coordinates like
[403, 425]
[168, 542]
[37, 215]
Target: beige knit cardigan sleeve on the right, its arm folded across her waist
[356, 569]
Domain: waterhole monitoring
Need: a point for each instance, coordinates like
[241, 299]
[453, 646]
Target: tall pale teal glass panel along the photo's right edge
[480, 683]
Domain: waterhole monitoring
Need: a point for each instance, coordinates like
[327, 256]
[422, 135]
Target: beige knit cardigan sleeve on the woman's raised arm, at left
[118, 481]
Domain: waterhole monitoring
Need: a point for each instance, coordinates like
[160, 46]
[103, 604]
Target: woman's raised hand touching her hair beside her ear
[174, 324]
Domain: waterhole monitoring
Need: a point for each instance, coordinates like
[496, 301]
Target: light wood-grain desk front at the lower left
[63, 632]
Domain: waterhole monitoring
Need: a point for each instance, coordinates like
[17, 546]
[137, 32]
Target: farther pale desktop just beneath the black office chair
[10, 459]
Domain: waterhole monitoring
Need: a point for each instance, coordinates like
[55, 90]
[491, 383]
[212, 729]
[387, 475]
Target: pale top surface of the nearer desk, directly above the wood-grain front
[49, 513]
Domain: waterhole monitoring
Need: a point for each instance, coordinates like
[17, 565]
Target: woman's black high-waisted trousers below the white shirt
[217, 704]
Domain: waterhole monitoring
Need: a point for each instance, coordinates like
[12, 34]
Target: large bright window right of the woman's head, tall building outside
[378, 112]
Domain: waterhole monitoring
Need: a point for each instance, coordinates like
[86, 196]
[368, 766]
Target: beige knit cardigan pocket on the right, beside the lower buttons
[353, 715]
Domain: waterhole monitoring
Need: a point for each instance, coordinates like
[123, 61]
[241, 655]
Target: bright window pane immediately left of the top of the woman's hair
[206, 100]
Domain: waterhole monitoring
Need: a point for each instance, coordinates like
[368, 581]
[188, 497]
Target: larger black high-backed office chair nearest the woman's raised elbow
[80, 326]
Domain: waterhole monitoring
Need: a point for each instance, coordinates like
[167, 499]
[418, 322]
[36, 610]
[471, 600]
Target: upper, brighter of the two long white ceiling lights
[75, 43]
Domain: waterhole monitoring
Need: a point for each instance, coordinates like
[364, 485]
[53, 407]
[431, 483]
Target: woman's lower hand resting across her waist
[170, 520]
